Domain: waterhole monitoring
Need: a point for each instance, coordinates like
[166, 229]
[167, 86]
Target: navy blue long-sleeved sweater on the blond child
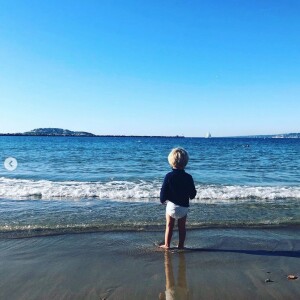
[178, 187]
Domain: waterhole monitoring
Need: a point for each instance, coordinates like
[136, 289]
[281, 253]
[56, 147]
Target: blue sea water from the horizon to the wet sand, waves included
[87, 184]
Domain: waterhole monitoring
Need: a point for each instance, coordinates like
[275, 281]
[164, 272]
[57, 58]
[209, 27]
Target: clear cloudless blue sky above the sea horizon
[150, 67]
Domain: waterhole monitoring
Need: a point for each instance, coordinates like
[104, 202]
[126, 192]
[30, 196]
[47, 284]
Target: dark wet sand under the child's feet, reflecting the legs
[218, 264]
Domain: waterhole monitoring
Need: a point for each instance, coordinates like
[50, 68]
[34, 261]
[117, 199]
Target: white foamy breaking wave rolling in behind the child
[143, 191]
